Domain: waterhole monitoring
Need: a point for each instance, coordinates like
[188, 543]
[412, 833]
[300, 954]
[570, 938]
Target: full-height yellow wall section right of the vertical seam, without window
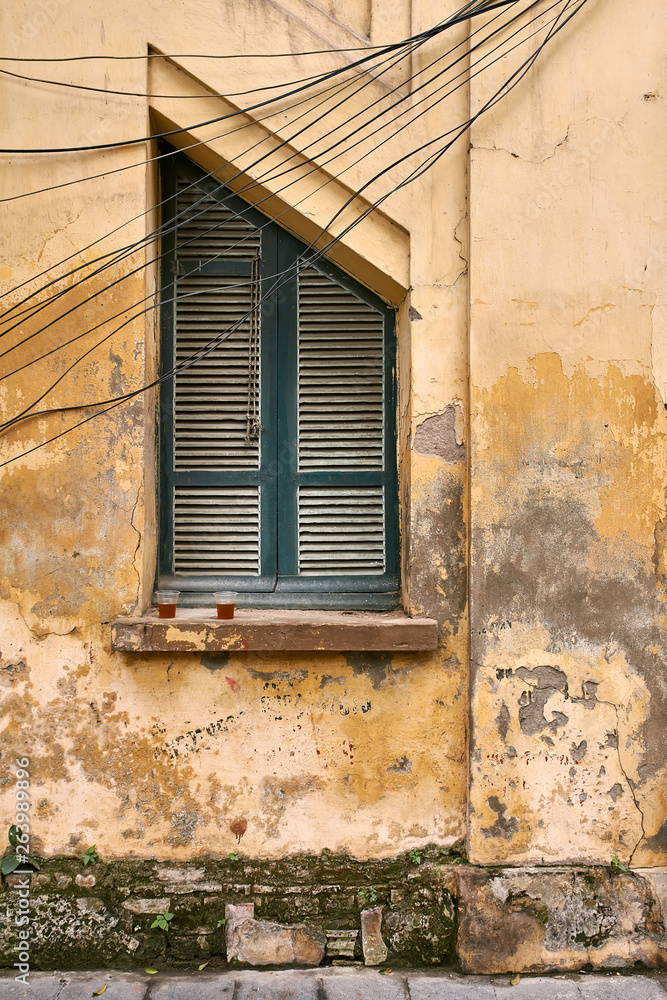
[568, 464]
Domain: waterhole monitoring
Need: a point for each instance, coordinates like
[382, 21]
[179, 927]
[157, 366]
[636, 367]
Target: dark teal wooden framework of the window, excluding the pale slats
[277, 476]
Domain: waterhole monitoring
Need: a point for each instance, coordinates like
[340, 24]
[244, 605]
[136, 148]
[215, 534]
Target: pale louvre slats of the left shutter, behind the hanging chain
[216, 527]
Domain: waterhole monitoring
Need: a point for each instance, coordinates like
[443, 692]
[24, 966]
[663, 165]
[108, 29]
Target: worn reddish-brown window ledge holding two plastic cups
[197, 629]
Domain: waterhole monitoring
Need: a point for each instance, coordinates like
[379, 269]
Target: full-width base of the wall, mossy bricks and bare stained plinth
[413, 911]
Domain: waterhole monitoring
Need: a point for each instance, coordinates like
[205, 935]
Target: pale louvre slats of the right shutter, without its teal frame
[341, 407]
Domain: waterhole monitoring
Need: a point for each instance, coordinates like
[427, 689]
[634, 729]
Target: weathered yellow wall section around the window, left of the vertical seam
[175, 756]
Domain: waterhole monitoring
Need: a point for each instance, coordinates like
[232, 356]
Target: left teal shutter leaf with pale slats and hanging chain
[219, 503]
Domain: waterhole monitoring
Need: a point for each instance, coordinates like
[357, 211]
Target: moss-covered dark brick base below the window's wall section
[102, 915]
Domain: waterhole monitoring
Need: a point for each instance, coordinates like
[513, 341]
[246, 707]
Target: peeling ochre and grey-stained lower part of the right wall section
[569, 704]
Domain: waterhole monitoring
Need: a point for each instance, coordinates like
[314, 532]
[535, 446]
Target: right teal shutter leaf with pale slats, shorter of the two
[337, 486]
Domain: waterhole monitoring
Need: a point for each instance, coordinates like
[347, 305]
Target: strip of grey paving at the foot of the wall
[332, 984]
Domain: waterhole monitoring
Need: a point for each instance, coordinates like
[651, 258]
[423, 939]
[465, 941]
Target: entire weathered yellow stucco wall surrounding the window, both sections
[528, 273]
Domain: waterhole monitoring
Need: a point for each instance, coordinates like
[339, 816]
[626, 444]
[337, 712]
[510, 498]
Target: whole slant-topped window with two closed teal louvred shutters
[277, 448]
